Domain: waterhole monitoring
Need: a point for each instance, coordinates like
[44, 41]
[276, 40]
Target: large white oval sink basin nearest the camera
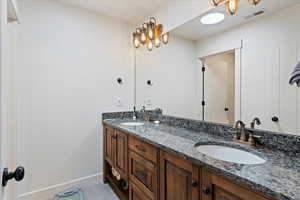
[230, 154]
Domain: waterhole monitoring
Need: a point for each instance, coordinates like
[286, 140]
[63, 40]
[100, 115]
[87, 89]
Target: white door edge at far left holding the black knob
[7, 153]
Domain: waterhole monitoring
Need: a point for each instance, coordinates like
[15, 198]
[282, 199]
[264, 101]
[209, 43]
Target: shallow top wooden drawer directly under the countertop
[146, 150]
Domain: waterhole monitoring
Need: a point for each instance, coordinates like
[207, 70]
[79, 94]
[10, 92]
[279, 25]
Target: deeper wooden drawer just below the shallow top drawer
[143, 174]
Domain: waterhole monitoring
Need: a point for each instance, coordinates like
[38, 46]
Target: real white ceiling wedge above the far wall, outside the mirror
[131, 11]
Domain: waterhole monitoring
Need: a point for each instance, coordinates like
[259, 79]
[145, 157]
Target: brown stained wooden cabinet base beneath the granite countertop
[154, 174]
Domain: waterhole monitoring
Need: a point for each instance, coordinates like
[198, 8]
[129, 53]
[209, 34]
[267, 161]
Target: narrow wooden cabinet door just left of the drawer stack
[121, 161]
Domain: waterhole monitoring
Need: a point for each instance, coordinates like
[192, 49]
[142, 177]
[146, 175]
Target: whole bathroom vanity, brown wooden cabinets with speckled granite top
[162, 162]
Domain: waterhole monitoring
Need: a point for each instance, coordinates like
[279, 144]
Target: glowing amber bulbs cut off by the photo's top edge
[232, 5]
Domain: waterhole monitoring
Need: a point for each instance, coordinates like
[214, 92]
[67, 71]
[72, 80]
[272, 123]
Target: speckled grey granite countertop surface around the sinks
[278, 177]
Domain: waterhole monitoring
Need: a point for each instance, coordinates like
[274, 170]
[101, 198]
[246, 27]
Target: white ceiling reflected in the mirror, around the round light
[194, 30]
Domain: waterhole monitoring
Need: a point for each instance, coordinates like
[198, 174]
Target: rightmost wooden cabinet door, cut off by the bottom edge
[217, 188]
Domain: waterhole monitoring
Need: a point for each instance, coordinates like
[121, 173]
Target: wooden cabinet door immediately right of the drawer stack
[179, 178]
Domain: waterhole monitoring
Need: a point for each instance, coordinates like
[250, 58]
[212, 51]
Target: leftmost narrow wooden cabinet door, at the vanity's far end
[109, 145]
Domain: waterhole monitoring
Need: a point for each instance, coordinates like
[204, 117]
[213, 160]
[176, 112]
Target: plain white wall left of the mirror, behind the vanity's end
[66, 62]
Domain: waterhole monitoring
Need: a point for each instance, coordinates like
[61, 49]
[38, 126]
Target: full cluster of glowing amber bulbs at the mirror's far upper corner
[150, 34]
